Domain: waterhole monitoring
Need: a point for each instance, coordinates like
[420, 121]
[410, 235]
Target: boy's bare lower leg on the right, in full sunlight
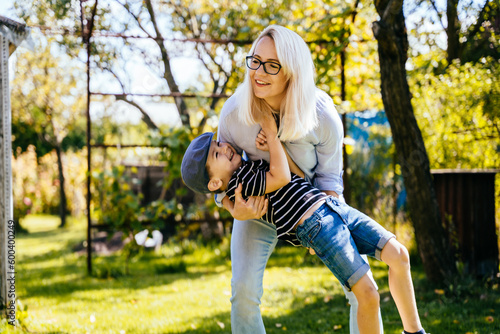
[396, 256]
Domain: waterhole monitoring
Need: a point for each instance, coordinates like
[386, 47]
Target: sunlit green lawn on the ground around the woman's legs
[186, 289]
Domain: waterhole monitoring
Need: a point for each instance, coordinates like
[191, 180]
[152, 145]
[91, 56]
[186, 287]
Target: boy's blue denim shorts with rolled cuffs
[339, 234]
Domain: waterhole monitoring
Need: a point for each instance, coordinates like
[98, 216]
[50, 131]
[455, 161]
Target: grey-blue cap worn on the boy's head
[193, 170]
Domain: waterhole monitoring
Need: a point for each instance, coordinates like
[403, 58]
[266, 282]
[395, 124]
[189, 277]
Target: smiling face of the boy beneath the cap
[222, 160]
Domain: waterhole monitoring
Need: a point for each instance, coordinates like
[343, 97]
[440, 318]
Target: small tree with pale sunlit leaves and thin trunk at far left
[46, 110]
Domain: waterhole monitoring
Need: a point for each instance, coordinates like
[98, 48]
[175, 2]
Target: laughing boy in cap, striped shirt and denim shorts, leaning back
[303, 215]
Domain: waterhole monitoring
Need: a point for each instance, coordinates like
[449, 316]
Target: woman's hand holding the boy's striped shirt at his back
[252, 208]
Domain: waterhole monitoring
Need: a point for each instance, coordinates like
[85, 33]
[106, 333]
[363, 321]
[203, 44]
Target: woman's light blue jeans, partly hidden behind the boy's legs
[252, 243]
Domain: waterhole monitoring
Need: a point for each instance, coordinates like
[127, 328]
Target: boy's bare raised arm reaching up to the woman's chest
[279, 172]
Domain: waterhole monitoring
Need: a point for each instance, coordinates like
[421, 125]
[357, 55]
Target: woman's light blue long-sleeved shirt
[318, 154]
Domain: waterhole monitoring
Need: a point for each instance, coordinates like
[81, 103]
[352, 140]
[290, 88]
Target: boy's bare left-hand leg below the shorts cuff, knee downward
[368, 305]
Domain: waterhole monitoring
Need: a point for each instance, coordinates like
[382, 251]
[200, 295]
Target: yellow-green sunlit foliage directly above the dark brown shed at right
[458, 113]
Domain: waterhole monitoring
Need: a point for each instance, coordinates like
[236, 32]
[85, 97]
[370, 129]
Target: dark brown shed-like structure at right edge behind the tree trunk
[467, 204]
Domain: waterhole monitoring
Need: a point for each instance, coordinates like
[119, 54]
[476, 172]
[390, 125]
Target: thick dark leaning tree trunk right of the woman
[424, 211]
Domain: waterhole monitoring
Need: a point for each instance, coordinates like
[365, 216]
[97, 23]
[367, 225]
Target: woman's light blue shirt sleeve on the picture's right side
[330, 132]
